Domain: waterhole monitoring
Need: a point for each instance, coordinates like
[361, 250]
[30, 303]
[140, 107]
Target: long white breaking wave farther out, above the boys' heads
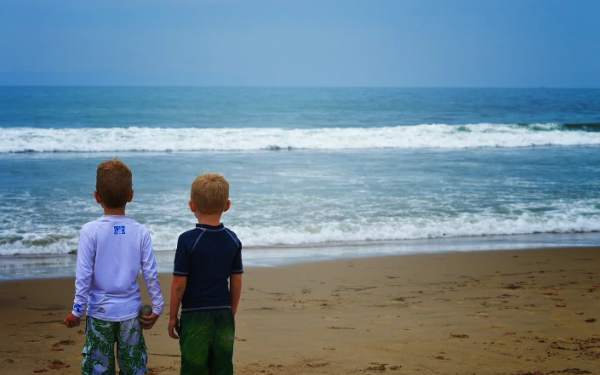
[141, 139]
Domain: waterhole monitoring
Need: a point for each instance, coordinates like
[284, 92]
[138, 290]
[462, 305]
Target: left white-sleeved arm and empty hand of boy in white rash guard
[83, 278]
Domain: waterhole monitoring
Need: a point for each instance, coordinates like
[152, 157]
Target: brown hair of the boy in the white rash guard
[113, 183]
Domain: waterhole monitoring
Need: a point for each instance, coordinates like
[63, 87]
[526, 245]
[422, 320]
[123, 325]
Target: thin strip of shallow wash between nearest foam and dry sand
[38, 266]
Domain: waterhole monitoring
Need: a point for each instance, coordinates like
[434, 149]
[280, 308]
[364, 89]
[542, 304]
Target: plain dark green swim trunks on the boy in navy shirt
[206, 342]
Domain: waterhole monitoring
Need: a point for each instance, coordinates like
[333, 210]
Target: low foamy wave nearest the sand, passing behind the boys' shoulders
[164, 238]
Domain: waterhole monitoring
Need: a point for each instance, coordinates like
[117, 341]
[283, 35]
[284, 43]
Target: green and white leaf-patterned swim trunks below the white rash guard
[99, 347]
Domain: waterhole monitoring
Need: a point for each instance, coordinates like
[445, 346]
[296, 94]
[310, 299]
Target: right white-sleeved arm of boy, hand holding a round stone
[150, 276]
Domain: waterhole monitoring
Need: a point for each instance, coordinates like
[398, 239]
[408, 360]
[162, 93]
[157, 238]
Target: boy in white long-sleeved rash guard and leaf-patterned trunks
[112, 249]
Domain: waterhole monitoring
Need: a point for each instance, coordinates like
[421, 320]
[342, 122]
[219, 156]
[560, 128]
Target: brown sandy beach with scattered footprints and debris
[494, 312]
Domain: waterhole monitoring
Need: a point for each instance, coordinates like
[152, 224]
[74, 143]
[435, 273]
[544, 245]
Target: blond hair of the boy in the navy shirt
[210, 193]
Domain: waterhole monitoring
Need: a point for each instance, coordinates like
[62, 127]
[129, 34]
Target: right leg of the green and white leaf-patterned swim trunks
[131, 348]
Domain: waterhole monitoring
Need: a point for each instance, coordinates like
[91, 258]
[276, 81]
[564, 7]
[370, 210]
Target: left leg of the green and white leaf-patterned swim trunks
[99, 347]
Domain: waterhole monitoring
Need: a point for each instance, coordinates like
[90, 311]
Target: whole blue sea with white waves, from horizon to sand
[315, 173]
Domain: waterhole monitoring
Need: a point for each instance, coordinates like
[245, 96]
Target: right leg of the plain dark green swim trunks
[221, 353]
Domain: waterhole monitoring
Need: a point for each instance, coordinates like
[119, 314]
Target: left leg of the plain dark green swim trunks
[195, 330]
